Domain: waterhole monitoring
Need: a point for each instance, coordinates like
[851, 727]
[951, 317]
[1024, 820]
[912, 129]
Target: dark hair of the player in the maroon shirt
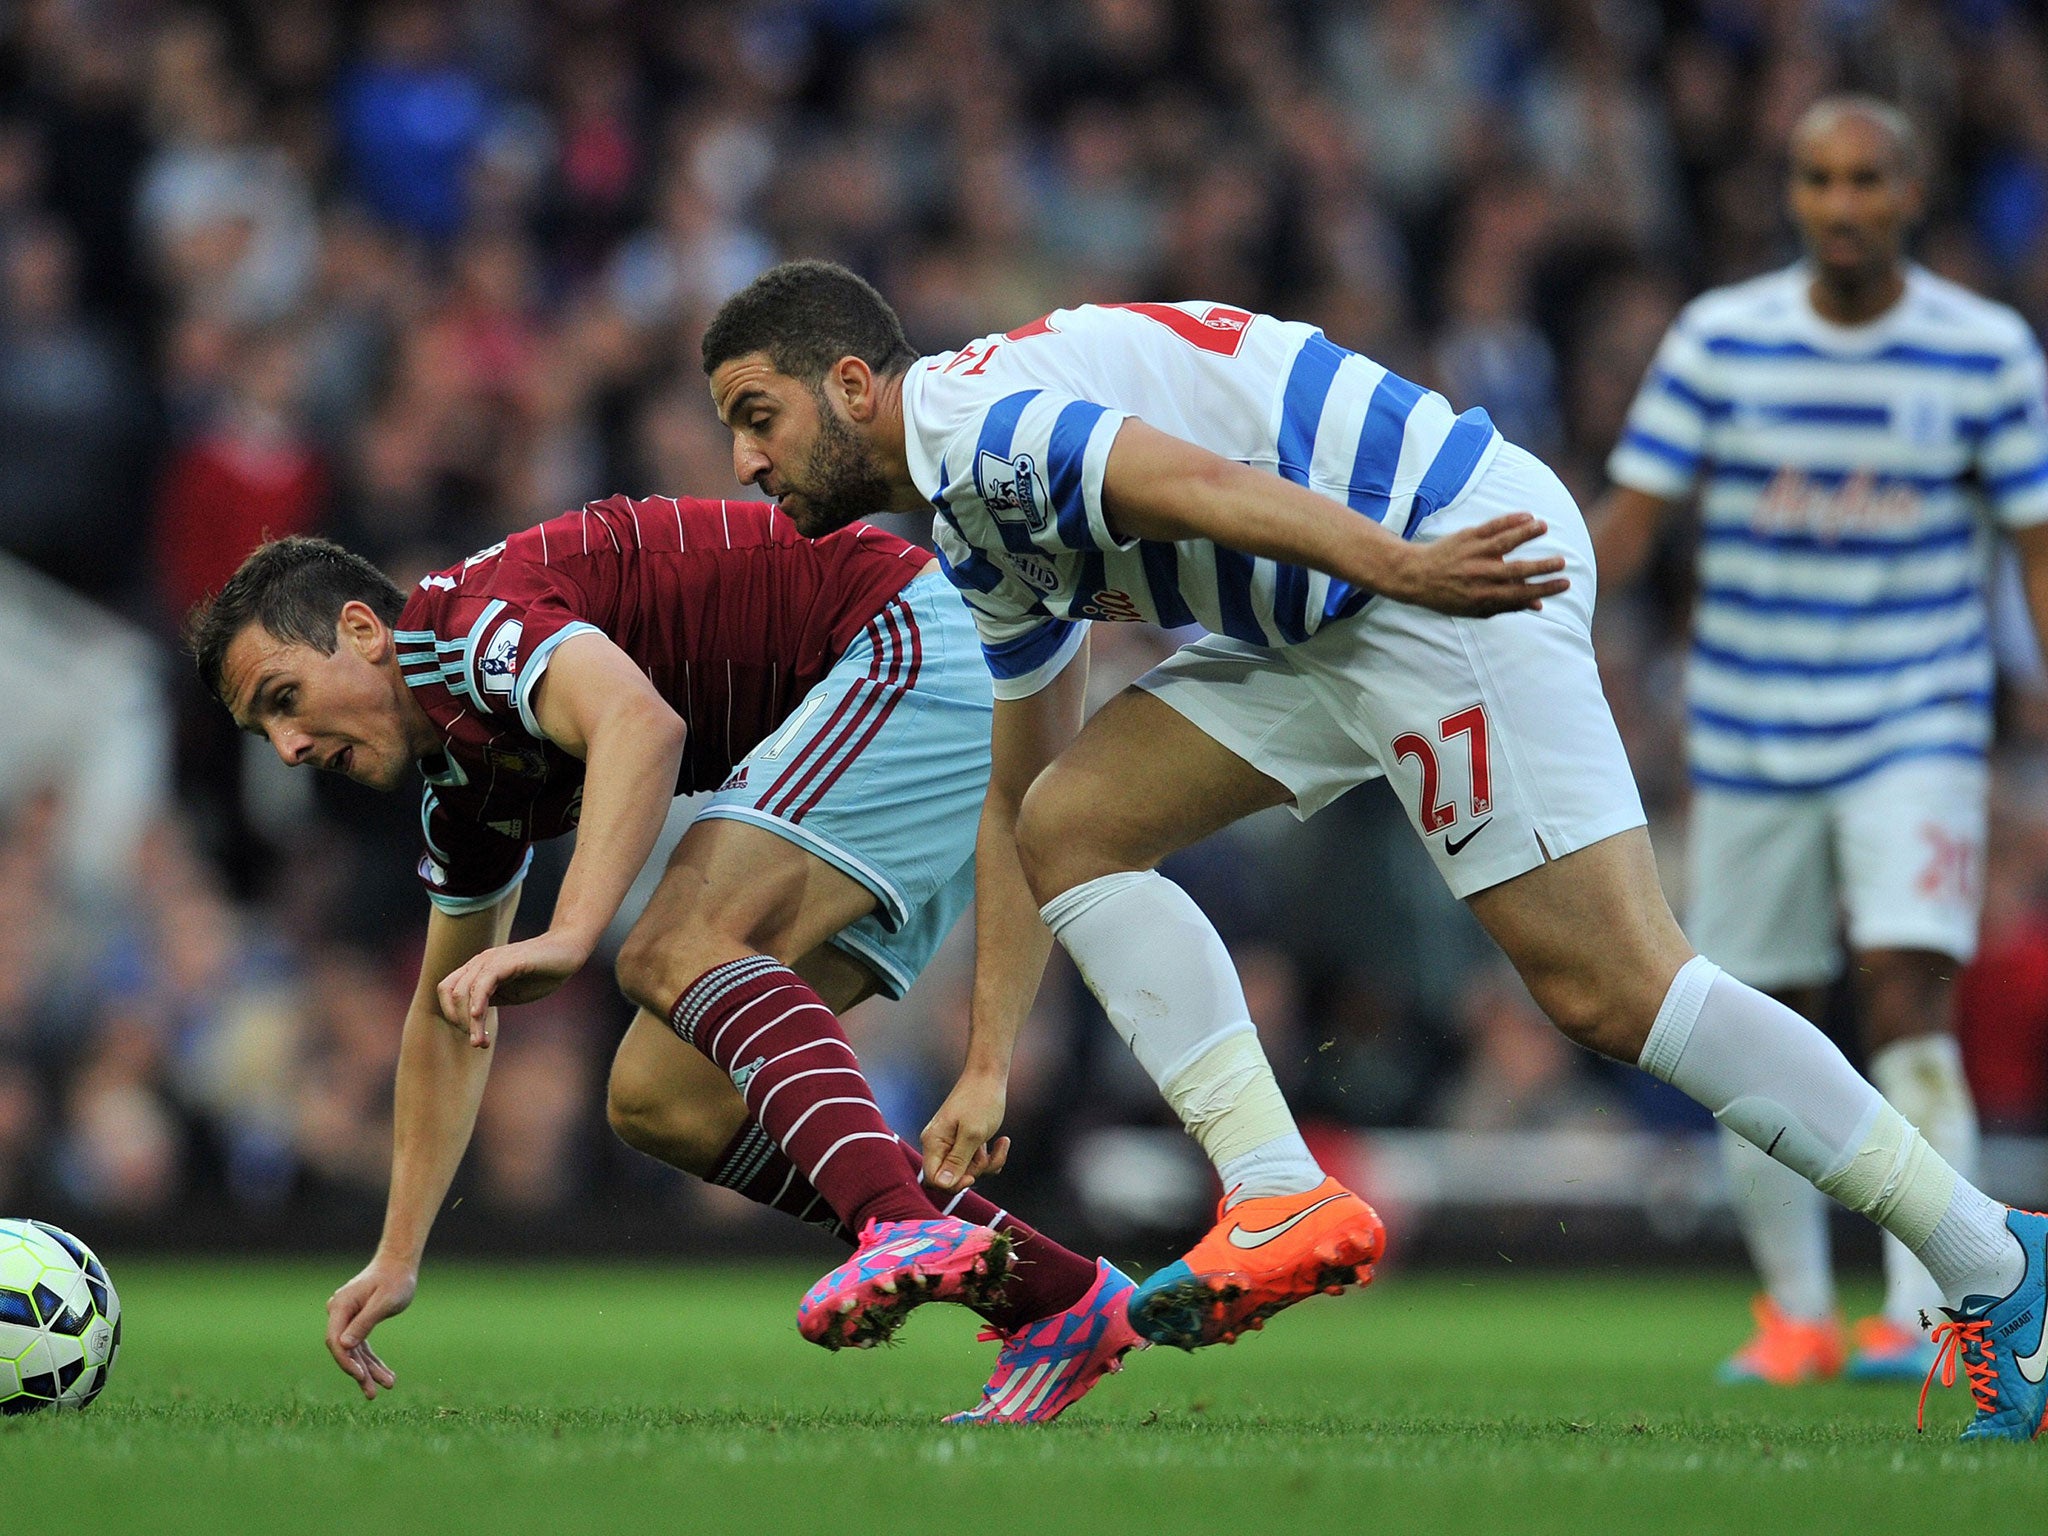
[296, 589]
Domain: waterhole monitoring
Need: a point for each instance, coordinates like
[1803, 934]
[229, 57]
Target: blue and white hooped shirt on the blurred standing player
[1852, 488]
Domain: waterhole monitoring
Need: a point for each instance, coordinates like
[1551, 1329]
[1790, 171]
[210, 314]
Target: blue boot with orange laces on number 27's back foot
[2002, 1345]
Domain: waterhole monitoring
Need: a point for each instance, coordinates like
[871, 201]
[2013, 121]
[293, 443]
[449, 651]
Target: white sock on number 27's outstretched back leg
[1777, 1080]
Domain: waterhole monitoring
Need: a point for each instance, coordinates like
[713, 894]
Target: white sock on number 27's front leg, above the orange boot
[1164, 978]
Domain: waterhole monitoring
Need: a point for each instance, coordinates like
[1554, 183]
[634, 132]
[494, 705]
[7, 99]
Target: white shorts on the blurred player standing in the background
[1895, 859]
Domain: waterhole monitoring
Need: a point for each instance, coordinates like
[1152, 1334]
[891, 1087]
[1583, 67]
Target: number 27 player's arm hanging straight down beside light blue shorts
[1011, 941]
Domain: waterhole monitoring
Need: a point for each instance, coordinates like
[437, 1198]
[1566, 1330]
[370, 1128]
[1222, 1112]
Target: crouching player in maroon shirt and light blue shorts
[828, 697]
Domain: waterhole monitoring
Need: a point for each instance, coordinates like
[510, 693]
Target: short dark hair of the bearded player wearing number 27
[806, 316]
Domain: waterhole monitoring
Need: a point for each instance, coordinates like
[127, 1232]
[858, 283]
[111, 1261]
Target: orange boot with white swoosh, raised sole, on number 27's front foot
[1261, 1258]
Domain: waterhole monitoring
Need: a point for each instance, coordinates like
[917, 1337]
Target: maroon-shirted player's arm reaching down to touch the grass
[439, 1089]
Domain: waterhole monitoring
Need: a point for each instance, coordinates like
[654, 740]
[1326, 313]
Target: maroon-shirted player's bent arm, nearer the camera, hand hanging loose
[597, 706]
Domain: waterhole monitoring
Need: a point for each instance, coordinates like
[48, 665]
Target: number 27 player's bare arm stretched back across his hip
[1164, 488]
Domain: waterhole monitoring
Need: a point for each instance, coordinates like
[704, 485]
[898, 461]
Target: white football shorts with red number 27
[1494, 732]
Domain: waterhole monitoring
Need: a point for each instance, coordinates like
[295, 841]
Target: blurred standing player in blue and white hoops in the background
[1850, 419]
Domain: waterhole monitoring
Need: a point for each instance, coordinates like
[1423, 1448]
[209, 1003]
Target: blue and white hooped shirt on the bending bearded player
[1011, 435]
